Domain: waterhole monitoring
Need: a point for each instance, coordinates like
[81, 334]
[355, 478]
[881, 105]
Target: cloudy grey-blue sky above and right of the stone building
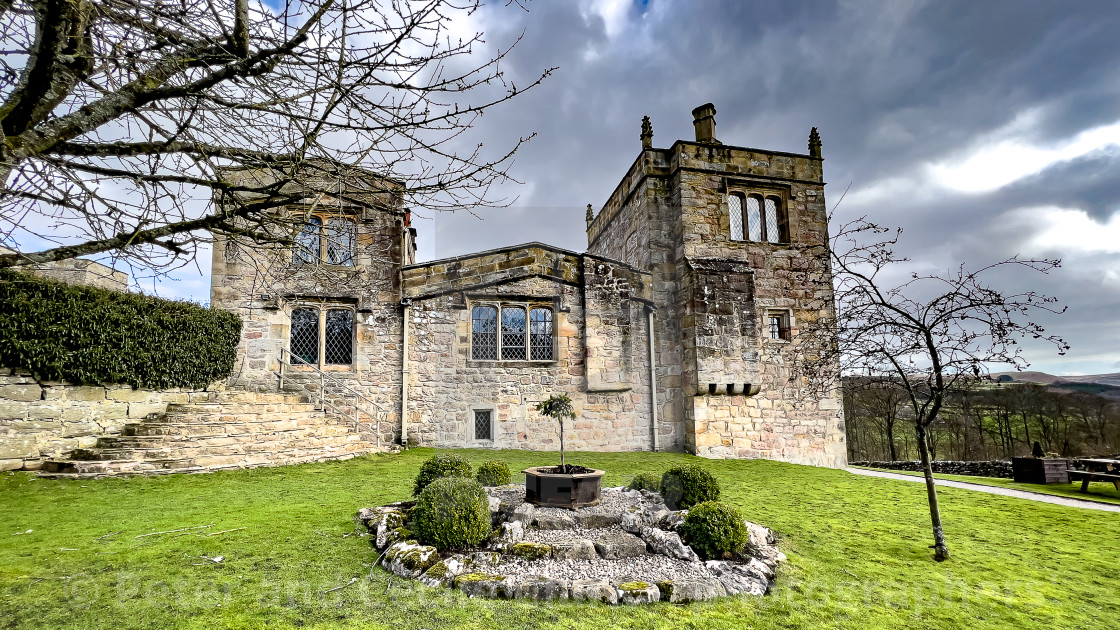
[984, 129]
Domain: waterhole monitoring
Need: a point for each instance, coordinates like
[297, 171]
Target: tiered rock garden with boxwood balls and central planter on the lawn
[665, 538]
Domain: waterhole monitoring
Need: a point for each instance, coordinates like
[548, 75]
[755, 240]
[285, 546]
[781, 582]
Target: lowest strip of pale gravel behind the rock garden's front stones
[643, 569]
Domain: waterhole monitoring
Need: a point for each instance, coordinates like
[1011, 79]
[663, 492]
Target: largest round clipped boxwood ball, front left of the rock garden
[452, 513]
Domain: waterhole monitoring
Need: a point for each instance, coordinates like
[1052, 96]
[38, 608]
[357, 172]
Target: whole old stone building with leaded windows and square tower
[674, 331]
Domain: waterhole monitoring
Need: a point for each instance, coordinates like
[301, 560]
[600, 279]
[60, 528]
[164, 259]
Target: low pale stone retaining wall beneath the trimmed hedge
[42, 420]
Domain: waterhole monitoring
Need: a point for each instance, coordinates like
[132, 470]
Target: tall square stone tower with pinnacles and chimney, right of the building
[726, 233]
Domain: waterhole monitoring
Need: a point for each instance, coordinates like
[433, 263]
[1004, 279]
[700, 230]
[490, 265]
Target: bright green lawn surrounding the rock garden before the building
[71, 558]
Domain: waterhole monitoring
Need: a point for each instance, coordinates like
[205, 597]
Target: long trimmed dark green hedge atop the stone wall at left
[91, 336]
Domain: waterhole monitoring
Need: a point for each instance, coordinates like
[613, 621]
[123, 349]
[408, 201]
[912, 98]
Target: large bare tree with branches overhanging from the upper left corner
[122, 117]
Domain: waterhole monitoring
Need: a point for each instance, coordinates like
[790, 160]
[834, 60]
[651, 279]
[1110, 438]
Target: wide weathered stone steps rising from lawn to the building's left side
[217, 431]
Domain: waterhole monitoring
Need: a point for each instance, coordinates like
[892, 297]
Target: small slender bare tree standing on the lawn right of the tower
[928, 333]
